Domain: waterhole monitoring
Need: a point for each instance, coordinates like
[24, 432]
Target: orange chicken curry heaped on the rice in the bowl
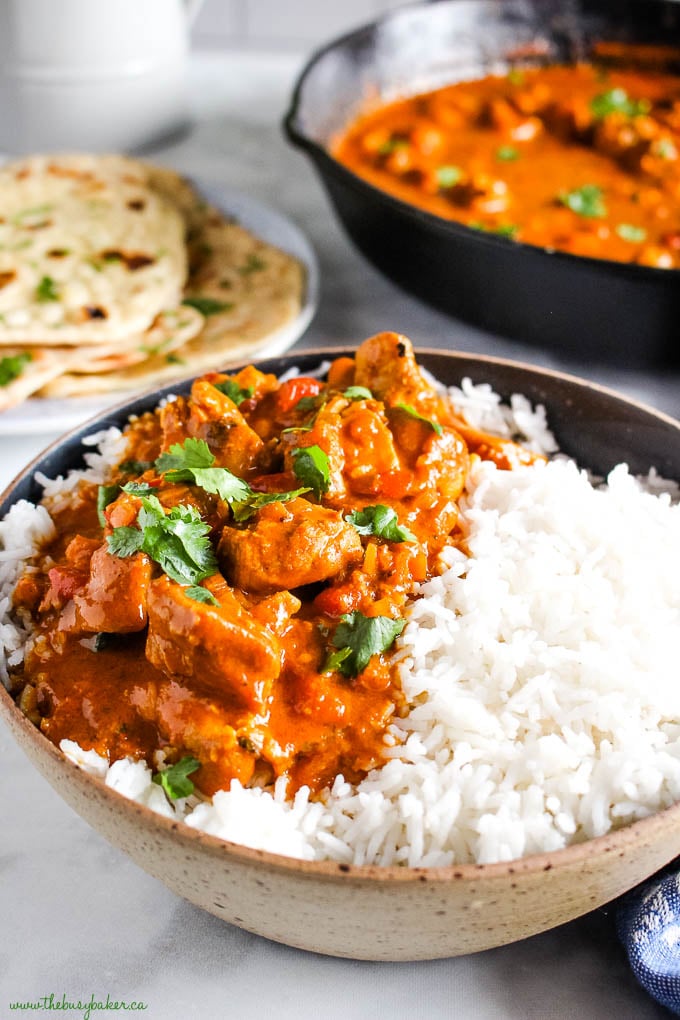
[252, 684]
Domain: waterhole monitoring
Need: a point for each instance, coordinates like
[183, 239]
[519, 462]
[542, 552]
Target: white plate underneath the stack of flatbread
[36, 417]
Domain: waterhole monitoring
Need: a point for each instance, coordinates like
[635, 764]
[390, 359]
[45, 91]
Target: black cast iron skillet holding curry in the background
[591, 310]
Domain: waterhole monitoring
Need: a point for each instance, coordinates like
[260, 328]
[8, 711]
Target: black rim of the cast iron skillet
[452, 228]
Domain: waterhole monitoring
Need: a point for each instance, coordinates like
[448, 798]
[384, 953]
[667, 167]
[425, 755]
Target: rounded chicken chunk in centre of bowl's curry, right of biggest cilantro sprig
[289, 545]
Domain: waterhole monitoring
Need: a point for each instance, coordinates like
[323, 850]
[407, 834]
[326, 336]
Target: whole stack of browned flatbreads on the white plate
[117, 275]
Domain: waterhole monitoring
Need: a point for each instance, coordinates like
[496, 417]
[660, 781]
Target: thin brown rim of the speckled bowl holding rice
[570, 856]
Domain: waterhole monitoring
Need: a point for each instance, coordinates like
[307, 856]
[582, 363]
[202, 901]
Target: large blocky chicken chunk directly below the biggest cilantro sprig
[222, 650]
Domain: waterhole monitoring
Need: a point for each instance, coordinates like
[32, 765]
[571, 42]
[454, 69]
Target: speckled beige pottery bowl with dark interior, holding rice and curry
[391, 913]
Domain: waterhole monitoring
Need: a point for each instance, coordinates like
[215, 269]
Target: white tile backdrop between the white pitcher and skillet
[280, 25]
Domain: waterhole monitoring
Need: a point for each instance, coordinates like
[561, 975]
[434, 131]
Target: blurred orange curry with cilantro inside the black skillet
[580, 159]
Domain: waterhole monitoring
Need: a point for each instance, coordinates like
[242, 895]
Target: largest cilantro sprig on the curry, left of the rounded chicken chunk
[177, 541]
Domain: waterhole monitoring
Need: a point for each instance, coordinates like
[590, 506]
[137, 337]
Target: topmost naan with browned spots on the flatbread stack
[89, 250]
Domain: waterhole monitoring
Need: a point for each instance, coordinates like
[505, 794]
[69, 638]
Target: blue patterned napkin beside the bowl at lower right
[649, 927]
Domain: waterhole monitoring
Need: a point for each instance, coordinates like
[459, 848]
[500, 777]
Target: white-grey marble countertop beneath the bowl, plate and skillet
[80, 919]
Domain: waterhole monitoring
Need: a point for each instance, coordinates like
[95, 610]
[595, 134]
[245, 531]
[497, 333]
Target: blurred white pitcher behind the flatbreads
[93, 76]
